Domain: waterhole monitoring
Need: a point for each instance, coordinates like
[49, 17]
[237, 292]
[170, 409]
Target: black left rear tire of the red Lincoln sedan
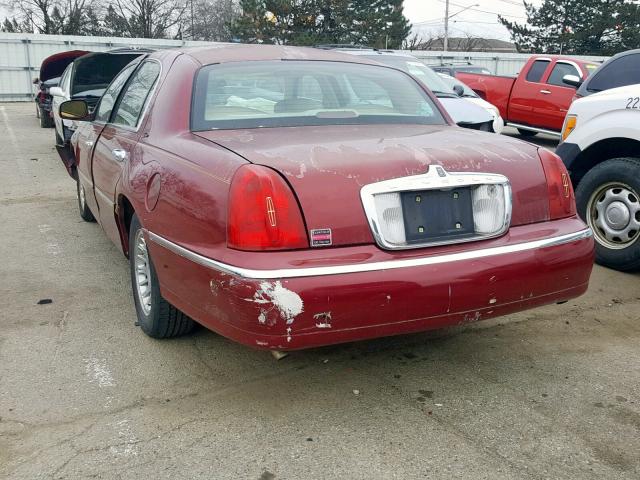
[159, 319]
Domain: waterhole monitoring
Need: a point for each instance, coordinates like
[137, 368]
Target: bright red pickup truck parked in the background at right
[537, 99]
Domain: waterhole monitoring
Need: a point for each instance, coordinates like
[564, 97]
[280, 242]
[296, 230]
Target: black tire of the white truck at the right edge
[625, 173]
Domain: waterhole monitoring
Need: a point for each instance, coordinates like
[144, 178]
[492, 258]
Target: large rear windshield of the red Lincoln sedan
[298, 93]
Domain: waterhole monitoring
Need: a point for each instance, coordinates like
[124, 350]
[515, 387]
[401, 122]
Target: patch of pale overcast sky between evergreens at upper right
[427, 16]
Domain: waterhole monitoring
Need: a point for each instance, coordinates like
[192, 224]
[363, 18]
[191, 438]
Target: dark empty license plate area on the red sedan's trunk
[437, 215]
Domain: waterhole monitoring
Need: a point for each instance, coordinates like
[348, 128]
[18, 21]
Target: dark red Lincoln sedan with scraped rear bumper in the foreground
[289, 198]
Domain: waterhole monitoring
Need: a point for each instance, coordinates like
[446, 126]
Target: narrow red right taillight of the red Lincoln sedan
[562, 202]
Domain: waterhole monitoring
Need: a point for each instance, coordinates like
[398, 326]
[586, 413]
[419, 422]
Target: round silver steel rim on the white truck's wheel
[613, 213]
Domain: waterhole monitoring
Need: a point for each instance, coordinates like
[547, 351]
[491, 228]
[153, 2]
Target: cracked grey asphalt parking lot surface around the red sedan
[550, 393]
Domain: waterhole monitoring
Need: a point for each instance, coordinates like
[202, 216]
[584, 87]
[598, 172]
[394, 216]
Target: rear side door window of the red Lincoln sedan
[136, 95]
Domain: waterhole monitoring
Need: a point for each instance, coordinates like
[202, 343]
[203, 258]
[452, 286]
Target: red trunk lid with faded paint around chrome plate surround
[328, 166]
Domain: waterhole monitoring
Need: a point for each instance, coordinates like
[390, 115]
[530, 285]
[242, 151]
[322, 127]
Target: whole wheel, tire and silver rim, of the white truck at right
[608, 199]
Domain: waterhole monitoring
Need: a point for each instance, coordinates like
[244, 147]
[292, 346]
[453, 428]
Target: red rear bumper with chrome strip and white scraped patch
[295, 308]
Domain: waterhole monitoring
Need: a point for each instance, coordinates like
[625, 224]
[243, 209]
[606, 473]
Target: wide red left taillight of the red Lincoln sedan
[263, 213]
